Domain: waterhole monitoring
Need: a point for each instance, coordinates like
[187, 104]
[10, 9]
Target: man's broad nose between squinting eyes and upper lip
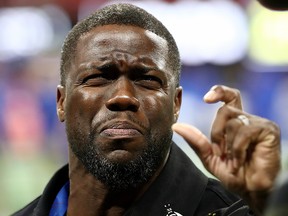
[123, 97]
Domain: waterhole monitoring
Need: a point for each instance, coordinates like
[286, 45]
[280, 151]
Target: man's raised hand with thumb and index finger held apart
[244, 150]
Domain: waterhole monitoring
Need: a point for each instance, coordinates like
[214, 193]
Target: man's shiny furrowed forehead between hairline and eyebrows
[131, 39]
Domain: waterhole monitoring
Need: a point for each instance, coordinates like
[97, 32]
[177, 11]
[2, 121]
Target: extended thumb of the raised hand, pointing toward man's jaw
[195, 138]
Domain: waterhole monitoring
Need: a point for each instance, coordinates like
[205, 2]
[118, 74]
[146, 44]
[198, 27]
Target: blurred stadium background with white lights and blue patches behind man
[236, 43]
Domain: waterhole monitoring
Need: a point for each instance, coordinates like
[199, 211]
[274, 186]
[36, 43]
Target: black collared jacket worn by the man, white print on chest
[181, 188]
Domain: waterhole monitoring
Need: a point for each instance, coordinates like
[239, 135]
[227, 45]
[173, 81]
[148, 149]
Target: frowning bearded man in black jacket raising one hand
[120, 99]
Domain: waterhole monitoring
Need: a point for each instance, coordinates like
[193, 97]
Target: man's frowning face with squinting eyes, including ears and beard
[120, 101]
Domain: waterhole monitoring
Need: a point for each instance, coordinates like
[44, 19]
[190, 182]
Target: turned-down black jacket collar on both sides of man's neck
[178, 188]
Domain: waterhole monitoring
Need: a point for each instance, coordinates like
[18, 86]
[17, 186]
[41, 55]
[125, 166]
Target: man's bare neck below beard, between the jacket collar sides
[88, 196]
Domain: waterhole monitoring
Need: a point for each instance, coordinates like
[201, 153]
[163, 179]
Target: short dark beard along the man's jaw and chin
[120, 176]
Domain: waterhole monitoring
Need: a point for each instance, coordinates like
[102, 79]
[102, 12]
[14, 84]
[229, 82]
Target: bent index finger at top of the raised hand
[229, 96]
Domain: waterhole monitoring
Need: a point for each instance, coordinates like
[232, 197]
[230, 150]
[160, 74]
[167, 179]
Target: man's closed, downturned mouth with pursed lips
[121, 130]
